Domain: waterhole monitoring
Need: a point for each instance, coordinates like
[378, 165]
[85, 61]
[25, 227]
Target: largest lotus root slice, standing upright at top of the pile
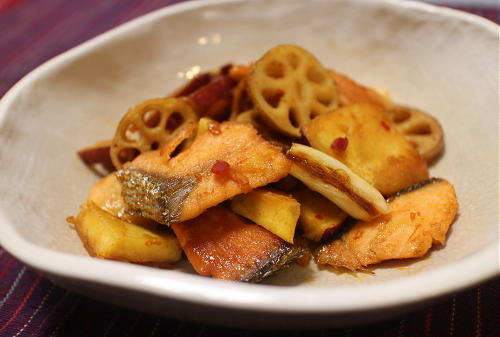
[289, 87]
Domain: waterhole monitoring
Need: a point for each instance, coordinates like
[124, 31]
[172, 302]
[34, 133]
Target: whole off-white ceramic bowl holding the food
[440, 60]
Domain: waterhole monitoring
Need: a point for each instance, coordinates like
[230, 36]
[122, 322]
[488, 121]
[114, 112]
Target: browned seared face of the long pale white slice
[333, 178]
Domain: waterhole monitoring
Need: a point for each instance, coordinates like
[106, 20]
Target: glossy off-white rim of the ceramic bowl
[264, 298]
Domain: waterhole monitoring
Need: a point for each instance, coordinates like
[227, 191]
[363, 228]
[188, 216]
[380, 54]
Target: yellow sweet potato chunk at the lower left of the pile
[106, 236]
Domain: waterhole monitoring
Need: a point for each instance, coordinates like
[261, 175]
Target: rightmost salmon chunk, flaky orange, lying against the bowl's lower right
[419, 217]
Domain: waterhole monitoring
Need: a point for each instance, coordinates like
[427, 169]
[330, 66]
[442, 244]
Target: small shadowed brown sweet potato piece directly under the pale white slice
[319, 217]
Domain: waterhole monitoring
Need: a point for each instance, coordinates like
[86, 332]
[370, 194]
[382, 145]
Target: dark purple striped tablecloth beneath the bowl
[31, 305]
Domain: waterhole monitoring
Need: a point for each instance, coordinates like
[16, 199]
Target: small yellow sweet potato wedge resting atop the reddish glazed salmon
[275, 211]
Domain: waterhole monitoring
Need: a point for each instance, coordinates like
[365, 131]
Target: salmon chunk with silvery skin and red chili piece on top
[230, 160]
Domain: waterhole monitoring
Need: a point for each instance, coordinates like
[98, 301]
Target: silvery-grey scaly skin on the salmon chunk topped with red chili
[153, 196]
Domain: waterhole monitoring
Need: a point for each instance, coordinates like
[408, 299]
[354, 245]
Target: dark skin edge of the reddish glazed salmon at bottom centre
[280, 259]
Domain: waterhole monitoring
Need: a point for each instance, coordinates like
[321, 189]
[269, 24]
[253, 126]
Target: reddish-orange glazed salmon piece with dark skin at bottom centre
[225, 246]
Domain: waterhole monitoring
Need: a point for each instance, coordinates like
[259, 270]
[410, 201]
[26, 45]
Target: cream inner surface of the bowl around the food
[443, 63]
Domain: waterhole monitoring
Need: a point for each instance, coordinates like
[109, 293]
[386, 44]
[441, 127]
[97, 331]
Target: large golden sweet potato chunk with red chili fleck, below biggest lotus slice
[374, 149]
